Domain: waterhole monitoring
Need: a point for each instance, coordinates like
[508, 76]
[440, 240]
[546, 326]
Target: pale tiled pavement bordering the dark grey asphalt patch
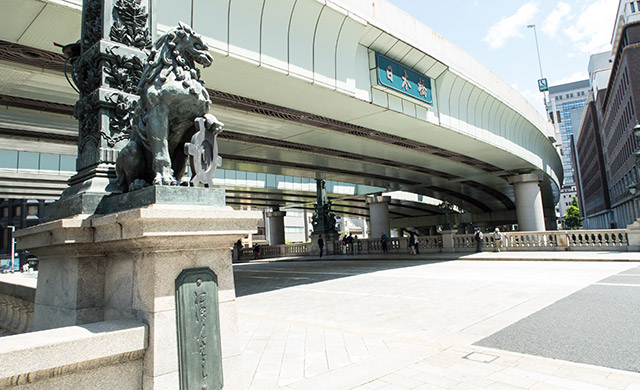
[370, 325]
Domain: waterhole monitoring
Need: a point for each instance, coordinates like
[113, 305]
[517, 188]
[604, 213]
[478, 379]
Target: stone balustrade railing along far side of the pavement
[451, 241]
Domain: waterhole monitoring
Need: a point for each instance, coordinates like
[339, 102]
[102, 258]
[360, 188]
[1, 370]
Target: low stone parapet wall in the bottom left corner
[102, 355]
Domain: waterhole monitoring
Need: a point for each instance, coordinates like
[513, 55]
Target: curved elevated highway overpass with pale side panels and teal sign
[304, 89]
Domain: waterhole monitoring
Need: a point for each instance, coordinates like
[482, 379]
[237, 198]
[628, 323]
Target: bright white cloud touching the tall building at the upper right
[593, 28]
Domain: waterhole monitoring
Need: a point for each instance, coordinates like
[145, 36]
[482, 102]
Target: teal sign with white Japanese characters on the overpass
[393, 75]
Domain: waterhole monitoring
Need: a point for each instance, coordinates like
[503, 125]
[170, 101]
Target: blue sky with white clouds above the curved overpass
[495, 33]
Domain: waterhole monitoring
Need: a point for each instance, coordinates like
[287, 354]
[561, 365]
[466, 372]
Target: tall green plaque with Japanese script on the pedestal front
[198, 321]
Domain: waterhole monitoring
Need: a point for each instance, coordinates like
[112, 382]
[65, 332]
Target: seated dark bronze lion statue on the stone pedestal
[172, 96]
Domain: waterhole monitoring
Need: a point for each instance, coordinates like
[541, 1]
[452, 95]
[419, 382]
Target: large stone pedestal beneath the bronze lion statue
[124, 265]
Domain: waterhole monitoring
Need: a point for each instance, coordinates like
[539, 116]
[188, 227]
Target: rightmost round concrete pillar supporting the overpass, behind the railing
[528, 202]
